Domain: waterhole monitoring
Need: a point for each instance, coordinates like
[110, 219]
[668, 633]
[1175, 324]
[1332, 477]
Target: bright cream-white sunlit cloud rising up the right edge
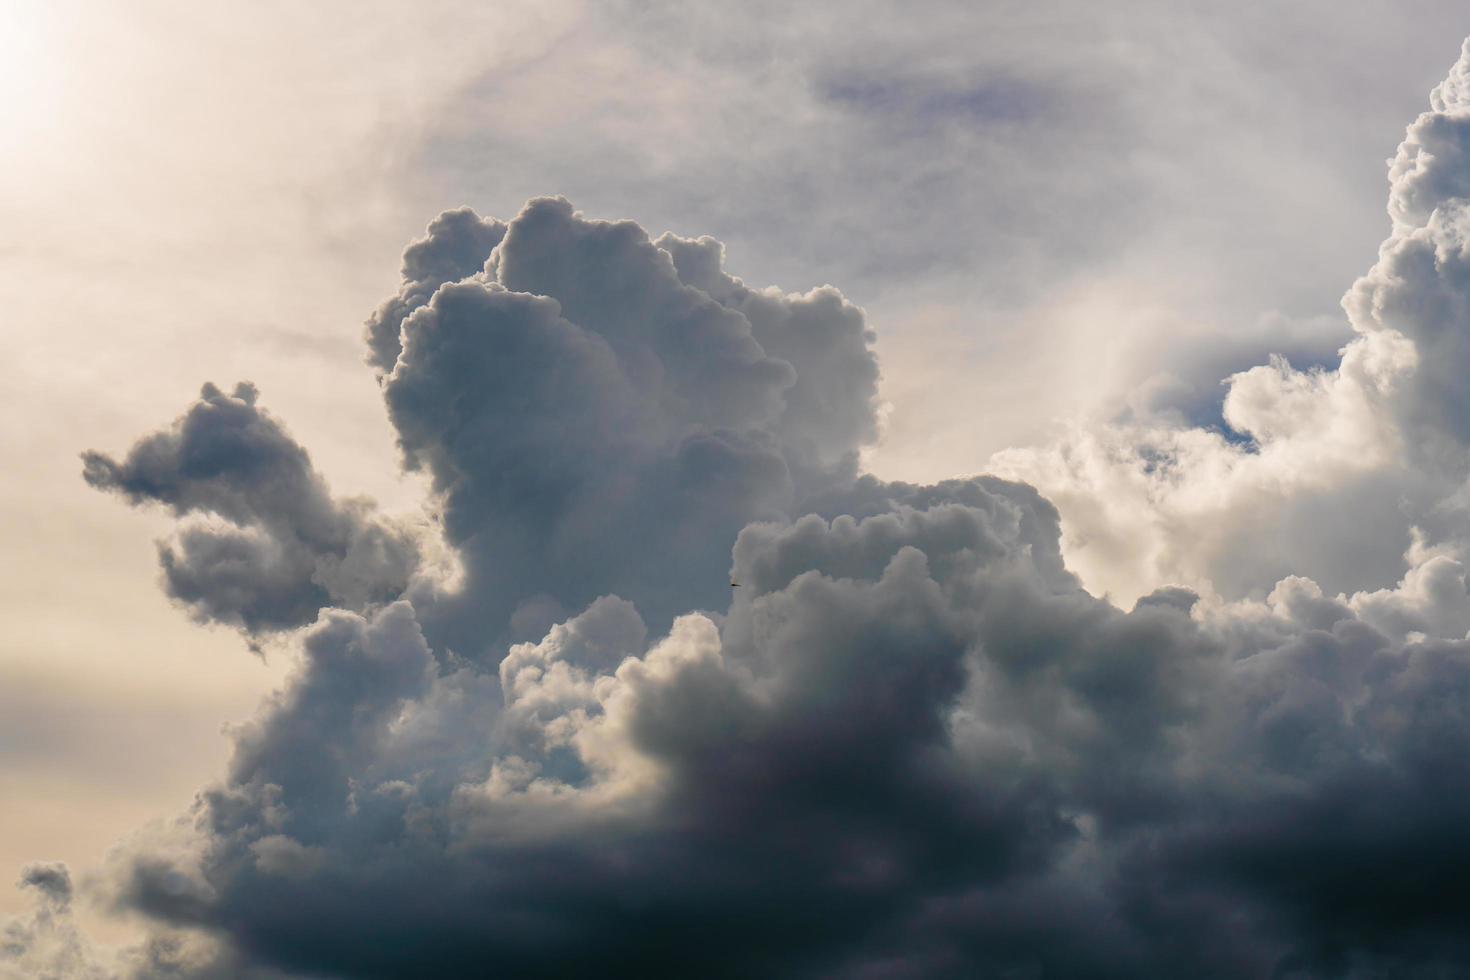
[1377, 443]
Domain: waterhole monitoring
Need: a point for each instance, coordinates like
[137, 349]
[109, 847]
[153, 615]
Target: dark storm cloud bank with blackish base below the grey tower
[909, 752]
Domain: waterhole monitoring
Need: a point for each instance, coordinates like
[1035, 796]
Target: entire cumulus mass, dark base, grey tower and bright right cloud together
[911, 743]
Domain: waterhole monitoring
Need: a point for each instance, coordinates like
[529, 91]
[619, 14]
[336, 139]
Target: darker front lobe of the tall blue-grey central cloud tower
[556, 478]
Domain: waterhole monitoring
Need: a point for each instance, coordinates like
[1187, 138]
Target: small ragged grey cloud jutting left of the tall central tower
[280, 547]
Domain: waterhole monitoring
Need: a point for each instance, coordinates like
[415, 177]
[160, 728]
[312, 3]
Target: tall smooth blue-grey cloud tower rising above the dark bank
[598, 422]
